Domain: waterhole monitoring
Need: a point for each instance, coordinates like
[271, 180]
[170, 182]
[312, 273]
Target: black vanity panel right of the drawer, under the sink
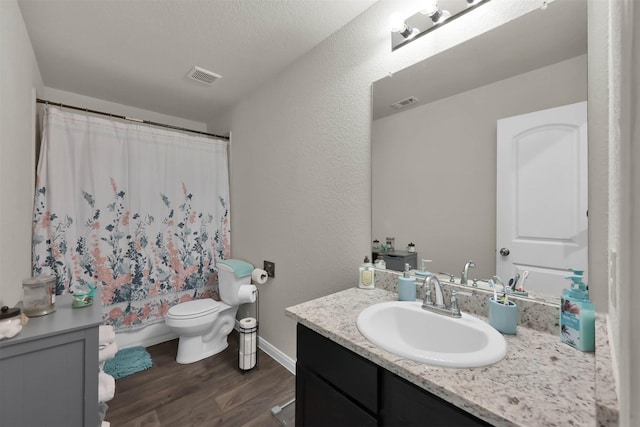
[406, 405]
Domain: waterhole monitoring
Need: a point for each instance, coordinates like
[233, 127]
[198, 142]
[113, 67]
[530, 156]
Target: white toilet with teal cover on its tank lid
[203, 325]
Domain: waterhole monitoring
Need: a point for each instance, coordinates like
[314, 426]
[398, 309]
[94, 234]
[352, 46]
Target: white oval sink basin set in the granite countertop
[405, 329]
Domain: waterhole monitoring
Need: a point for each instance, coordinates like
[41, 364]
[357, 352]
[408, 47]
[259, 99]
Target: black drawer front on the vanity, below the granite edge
[354, 375]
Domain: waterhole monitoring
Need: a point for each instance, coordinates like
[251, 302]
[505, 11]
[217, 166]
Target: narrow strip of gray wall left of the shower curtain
[19, 79]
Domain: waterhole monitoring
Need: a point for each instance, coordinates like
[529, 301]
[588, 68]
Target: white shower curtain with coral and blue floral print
[139, 212]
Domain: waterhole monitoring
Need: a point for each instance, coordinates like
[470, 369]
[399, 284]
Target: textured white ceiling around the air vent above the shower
[138, 52]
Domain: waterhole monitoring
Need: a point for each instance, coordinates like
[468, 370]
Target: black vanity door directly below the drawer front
[319, 404]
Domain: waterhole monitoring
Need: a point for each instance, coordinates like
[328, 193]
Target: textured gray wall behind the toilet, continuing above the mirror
[301, 153]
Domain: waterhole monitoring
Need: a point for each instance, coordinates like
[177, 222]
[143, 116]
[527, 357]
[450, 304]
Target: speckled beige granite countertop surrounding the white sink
[540, 382]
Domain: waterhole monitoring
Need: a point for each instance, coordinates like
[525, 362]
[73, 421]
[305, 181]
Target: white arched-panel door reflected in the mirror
[541, 210]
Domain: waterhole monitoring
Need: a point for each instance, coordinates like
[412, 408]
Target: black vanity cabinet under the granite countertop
[336, 387]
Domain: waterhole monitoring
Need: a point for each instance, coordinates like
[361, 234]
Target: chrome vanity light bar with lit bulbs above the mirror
[404, 31]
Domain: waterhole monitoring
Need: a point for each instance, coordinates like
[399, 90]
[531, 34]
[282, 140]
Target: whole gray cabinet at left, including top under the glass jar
[49, 371]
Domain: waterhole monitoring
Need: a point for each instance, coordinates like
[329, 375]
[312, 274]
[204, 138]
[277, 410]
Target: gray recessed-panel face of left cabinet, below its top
[51, 381]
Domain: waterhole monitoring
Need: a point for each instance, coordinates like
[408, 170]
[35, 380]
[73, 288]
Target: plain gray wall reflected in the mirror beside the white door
[434, 166]
